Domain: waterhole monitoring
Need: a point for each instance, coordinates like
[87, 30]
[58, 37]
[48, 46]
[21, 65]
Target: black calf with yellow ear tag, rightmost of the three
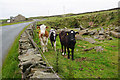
[67, 39]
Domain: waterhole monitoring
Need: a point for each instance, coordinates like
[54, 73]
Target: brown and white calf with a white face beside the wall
[43, 36]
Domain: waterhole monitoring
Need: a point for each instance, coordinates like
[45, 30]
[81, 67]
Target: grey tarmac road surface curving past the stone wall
[7, 36]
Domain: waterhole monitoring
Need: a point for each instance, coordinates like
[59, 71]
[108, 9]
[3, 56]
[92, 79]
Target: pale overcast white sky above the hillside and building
[30, 8]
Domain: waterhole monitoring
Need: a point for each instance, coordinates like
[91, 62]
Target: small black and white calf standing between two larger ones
[52, 36]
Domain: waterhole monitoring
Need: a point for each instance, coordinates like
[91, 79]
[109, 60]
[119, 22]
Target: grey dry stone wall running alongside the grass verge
[31, 63]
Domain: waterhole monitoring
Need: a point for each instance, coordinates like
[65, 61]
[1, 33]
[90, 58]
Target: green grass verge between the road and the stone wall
[10, 66]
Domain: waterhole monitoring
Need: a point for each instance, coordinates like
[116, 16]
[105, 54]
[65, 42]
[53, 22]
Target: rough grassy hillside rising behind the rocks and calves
[103, 18]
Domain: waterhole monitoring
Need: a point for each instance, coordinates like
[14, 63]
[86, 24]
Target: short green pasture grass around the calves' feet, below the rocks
[97, 64]
